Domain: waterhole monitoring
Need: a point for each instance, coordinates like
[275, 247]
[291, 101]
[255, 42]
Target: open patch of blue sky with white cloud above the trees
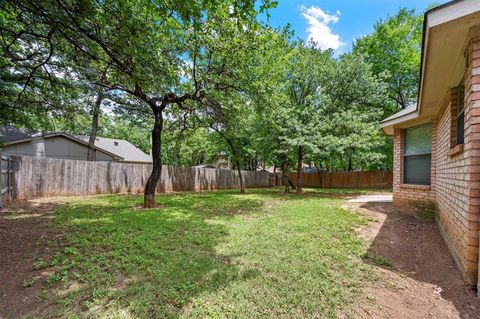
[336, 23]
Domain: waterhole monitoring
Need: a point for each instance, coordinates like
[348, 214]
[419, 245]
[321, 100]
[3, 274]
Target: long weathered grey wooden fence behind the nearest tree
[37, 177]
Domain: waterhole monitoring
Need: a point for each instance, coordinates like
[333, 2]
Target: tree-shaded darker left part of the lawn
[144, 263]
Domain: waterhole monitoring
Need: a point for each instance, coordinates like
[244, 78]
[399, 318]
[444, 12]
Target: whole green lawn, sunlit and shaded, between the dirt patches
[209, 255]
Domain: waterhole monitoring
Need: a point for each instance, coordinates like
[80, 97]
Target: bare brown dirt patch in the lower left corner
[27, 241]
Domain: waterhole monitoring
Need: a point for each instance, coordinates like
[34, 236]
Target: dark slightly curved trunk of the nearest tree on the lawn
[149, 195]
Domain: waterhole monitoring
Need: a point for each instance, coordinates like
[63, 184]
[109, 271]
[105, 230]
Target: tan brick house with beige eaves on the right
[437, 141]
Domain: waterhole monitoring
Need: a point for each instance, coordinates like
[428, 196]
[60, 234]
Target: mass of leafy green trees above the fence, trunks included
[189, 80]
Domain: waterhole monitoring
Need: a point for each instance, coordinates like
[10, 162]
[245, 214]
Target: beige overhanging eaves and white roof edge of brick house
[445, 28]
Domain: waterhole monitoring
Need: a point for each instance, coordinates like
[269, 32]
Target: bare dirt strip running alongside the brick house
[423, 281]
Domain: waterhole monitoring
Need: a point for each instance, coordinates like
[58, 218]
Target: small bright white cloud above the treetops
[318, 28]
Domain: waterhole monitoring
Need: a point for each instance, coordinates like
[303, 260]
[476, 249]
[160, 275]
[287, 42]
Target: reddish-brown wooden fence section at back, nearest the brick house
[354, 179]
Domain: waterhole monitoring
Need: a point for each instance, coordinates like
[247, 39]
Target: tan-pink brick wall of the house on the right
[455, 187]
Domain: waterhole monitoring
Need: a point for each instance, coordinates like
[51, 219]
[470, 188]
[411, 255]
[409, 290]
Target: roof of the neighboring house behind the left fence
[119, 149]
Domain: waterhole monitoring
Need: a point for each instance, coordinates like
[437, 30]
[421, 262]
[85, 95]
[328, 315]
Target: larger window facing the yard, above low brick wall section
[417, 155]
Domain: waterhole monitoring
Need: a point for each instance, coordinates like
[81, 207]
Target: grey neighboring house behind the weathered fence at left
[67, 146]
